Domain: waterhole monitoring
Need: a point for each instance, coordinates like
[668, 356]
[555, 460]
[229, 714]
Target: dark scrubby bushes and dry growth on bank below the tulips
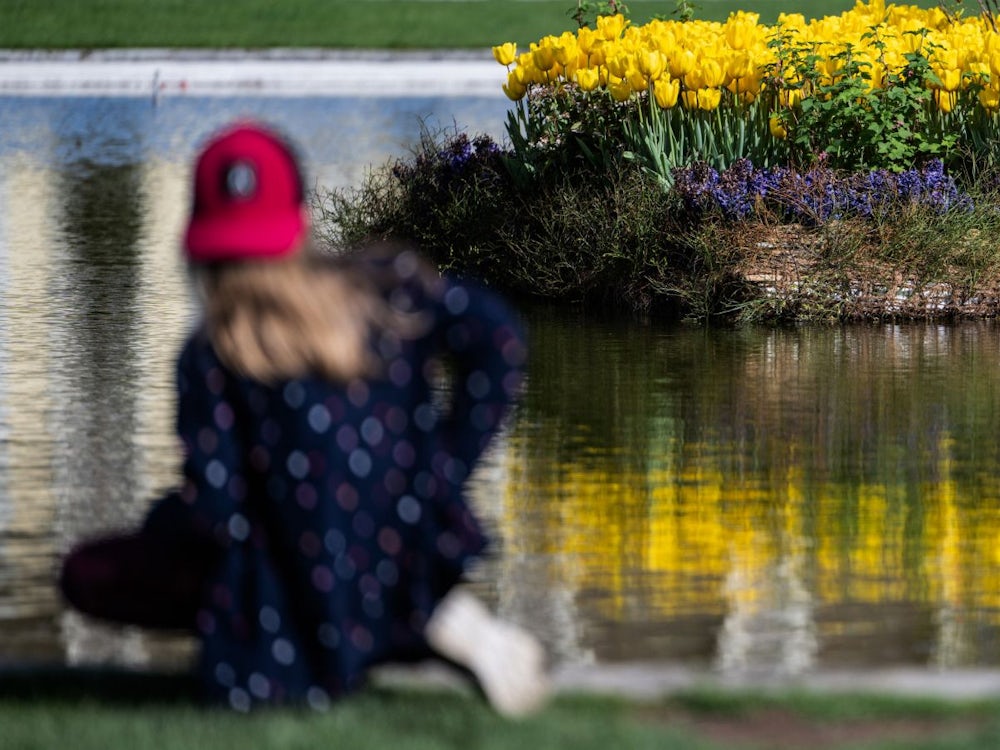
[613, 236]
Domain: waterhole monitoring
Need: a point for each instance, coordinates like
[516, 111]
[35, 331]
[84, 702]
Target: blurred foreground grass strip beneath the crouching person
[94, 710]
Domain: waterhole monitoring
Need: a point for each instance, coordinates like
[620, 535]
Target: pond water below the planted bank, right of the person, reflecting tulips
[762, 500]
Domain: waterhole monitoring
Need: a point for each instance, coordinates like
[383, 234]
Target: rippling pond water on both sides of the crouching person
[774, 500]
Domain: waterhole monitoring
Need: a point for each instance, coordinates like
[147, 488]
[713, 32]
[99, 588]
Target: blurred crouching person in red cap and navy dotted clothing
[321, 527]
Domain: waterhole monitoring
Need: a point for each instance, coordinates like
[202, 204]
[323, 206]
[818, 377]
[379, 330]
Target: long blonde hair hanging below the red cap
[307, 314]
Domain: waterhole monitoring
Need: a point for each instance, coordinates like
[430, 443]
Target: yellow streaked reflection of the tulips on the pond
[685, 537]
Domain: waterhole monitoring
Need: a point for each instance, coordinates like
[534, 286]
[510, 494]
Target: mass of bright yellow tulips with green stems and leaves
[875, 87]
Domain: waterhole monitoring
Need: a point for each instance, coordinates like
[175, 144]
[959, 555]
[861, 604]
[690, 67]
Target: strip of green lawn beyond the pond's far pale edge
[354, 24]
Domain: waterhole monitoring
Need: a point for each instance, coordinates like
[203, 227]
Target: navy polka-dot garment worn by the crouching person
[338, 506]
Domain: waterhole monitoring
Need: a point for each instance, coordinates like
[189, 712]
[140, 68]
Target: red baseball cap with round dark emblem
[248, 198]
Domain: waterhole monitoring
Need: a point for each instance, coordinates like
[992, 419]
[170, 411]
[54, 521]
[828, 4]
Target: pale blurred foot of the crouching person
[508, 661]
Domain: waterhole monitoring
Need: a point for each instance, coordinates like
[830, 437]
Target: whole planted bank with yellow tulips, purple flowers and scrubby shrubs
[838, 168]
